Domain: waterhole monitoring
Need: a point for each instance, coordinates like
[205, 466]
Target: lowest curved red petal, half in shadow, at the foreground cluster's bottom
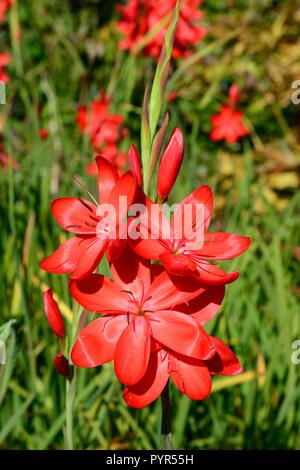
[151, 385]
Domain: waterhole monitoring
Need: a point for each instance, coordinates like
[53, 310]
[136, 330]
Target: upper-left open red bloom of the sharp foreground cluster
[96, 231]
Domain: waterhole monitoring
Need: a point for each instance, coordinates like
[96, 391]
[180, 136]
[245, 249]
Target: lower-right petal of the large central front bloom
[181, 333]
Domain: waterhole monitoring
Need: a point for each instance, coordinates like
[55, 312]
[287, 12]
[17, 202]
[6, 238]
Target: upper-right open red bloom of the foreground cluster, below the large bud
[186, 249]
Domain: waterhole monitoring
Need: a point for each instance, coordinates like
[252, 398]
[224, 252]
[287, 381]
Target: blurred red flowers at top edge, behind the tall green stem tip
[139, 17]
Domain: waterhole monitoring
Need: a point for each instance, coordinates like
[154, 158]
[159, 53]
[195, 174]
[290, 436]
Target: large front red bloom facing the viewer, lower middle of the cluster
[141, 315]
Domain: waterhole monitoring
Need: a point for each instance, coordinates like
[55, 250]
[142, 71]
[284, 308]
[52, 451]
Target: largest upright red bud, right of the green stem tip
[170, 164]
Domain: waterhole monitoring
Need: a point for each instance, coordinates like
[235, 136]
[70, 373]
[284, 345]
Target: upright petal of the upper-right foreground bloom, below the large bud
[201, 196]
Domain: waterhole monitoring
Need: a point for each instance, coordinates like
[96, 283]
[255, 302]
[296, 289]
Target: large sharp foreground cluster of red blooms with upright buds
[151, 315]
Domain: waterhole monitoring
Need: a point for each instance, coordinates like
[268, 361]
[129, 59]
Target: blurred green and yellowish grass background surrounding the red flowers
[67, 52]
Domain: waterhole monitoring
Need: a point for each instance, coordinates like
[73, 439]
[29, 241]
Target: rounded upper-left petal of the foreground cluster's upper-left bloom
[75, 215]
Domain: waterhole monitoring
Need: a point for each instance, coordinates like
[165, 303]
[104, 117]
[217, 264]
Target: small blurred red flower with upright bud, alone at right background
[228, 123]
